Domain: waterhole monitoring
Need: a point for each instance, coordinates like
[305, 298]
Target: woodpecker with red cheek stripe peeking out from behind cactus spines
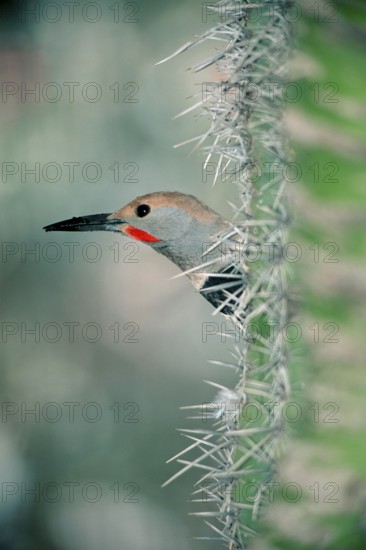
[185, 230]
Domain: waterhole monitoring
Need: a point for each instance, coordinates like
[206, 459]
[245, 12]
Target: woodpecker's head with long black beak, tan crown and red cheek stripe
[175, 224]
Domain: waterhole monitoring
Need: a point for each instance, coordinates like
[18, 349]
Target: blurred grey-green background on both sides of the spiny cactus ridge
[117, 346]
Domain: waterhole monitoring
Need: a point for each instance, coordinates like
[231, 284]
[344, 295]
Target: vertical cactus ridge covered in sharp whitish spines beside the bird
[237, 454]
